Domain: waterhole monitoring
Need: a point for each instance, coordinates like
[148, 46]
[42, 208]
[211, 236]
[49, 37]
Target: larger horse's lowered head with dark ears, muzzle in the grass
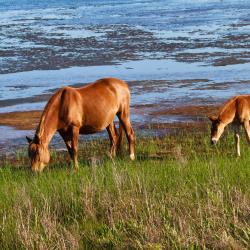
[38, 154]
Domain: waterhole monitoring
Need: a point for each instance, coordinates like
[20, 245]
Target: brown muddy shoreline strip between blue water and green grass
[155, 120]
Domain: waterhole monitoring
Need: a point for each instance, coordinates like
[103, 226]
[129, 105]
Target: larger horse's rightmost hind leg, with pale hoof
[125, 121]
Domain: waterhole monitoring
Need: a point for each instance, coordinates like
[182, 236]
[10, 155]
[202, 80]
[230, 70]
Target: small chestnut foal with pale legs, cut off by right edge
[235, 111]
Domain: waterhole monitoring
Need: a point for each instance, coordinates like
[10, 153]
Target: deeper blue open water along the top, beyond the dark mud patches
[171, 14]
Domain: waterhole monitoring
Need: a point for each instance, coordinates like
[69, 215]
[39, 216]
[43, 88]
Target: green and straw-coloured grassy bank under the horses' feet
[179, 193]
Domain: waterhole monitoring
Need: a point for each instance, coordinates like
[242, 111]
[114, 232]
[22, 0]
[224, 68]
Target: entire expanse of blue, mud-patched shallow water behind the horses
[192, 52]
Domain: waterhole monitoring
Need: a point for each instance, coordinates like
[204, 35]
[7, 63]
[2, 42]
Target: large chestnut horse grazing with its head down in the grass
[85, 110]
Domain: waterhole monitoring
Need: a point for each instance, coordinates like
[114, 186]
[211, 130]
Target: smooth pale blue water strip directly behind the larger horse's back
[158, 80]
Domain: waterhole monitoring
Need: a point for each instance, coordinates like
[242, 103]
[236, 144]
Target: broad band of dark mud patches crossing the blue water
[115, 44]
